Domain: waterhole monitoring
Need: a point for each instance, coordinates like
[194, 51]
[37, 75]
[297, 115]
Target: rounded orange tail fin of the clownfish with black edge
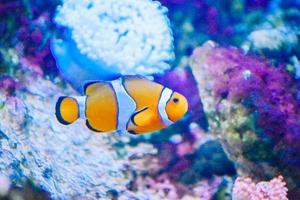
[67, 110]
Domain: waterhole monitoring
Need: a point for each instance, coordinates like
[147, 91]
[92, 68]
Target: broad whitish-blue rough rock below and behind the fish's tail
[66, 161]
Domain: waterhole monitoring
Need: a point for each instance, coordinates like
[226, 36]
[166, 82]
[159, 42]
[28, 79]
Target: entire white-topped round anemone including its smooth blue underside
[107, 38]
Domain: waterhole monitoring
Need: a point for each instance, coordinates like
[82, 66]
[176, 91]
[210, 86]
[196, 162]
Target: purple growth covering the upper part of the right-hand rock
[268, 92]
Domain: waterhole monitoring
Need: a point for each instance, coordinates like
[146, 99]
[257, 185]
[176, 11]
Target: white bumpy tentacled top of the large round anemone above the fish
[133, 36]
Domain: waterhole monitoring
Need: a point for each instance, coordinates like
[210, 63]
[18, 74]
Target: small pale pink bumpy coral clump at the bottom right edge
[246, 189]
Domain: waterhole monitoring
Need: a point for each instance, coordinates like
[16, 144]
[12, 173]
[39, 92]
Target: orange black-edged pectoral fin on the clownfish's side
[142, 117]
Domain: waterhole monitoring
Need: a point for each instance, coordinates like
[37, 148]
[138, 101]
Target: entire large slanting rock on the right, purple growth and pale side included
[252, 107]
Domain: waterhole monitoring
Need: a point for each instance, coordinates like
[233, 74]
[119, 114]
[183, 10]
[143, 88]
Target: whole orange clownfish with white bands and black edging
[131, 103]
